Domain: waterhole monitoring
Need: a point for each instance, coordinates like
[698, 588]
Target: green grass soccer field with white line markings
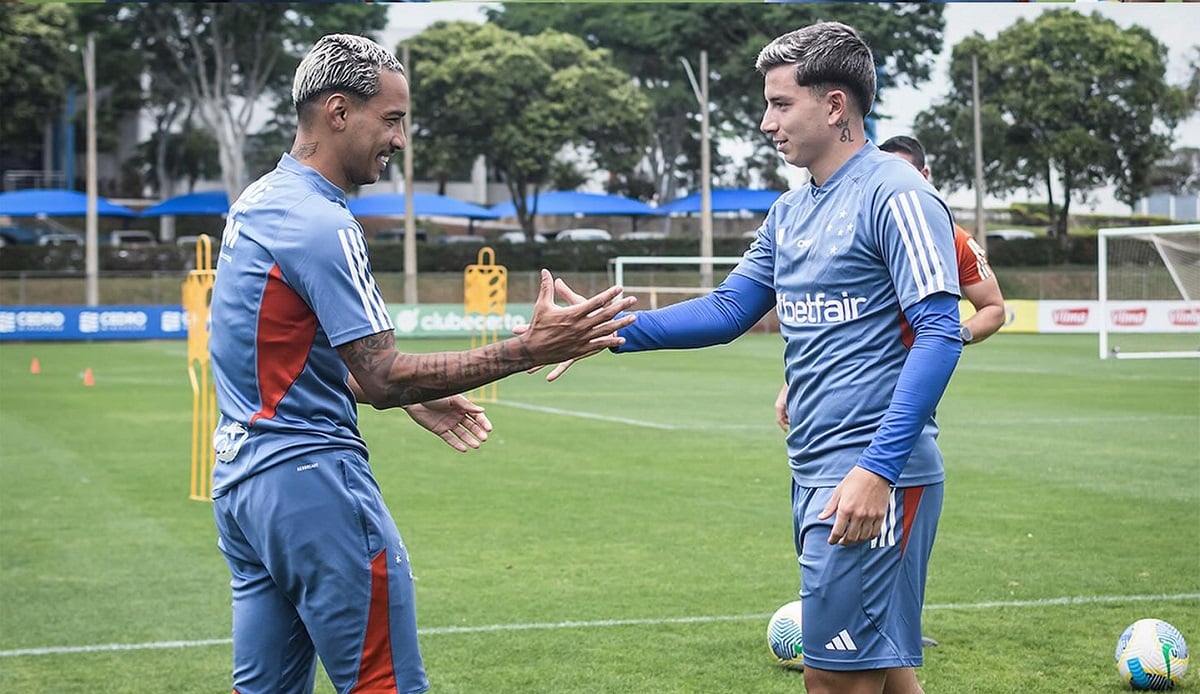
[626, 530]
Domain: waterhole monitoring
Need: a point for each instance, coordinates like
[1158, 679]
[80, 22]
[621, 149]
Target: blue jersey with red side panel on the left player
[293, 284]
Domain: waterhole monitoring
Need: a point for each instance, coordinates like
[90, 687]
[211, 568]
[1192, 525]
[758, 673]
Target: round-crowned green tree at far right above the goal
[1069, 100]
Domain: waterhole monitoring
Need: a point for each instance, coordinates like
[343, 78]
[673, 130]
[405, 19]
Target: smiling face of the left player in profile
[374, 130]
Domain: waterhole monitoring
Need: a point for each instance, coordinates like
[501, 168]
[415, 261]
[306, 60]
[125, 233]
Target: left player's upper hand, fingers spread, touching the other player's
[587, 326]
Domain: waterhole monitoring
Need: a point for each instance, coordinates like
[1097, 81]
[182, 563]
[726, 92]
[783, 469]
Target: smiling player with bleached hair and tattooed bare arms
[301, 336]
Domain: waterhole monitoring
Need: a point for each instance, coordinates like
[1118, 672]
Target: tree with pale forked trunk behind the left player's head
[226, 62]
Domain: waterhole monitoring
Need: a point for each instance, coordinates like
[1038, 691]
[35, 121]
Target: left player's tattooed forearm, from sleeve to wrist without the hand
[393, 379]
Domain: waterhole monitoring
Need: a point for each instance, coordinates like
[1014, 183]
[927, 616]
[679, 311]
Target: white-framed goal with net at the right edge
[1149, 283]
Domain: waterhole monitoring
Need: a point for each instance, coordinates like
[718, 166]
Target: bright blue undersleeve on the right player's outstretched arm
[716, 319]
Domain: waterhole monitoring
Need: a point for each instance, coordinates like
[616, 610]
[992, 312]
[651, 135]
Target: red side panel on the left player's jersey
[286, 332]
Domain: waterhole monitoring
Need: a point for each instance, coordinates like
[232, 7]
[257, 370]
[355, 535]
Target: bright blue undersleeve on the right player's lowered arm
[923, 379]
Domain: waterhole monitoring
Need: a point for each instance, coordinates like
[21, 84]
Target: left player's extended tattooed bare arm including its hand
[388, 378]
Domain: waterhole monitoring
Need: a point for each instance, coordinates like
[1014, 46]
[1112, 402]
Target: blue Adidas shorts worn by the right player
[862, 603]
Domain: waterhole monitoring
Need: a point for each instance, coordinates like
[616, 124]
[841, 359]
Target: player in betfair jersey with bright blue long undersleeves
[845, 261]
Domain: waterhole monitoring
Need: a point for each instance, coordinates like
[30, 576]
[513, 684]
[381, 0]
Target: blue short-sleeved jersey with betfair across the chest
[847, 259]
